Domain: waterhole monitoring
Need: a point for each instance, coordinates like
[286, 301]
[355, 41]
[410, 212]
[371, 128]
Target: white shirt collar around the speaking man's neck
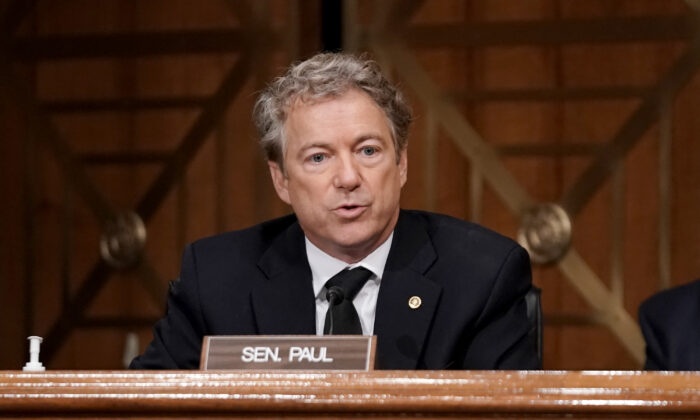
[324, 266]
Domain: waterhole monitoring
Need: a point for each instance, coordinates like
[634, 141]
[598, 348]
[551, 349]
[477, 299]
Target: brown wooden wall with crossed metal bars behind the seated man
[125, 133]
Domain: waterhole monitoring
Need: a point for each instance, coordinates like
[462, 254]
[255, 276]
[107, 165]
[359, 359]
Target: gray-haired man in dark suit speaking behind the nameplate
[441, 293]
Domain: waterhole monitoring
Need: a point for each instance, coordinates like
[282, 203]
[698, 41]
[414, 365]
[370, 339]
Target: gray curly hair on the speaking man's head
[322, 76]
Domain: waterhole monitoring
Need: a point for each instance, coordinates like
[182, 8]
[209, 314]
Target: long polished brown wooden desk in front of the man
[386, 394]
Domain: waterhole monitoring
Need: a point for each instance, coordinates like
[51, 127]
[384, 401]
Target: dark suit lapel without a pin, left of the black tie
[284, 303]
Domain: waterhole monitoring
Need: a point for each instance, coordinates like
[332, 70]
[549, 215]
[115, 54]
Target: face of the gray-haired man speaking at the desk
[342, 178]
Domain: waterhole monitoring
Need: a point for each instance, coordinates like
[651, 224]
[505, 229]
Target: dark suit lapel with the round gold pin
[401, 329]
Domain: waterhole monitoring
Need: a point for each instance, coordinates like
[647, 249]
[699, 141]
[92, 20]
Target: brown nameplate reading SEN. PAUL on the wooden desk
[288, 352]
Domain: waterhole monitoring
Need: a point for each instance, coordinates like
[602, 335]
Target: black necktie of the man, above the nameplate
[342, 288]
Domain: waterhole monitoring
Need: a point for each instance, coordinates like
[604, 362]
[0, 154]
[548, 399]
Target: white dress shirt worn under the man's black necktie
[323, 267]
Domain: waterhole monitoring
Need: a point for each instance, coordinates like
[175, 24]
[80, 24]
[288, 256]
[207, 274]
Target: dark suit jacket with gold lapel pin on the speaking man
[472, 282]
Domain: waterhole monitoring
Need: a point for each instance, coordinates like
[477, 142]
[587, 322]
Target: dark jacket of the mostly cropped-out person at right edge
[670, 322]
